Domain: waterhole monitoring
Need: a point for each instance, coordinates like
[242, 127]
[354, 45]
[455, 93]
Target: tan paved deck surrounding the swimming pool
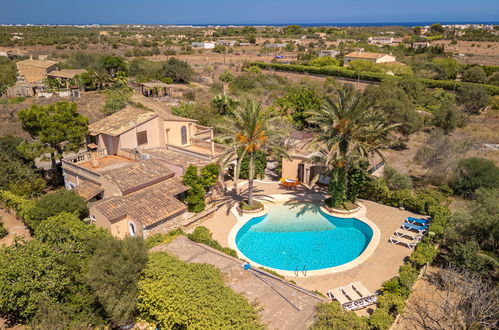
[381, 265]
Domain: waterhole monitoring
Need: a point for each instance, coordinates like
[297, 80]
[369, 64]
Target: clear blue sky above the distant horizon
[244, 11]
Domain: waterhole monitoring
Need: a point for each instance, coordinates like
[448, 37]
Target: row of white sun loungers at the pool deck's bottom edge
[352, 296]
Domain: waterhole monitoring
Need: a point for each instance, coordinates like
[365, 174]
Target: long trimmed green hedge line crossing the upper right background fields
[369, 76]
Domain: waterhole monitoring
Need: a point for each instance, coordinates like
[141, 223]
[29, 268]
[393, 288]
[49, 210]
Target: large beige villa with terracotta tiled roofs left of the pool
[131, 173]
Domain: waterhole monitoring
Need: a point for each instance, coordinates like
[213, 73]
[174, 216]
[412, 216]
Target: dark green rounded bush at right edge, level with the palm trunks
[473, 173]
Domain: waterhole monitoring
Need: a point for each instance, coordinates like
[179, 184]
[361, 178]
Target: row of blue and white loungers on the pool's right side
[411, 232]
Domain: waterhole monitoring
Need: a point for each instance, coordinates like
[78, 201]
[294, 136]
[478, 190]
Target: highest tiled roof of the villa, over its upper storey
[122, 121]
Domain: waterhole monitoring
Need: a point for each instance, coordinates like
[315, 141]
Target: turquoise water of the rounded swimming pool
[292, 236]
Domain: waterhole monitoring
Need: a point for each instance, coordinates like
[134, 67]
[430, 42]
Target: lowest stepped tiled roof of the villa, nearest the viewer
[147, 206]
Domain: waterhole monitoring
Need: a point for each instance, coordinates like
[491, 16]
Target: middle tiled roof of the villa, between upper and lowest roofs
[139, 175]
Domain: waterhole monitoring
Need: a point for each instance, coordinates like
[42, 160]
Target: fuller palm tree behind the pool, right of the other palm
[348, 129]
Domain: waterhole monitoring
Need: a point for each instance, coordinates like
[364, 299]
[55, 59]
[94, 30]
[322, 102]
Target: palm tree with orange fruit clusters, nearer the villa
[249, 131]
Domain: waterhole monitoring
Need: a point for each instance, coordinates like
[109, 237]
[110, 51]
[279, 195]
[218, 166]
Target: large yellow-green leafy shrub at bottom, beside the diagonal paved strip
[178, 295]
